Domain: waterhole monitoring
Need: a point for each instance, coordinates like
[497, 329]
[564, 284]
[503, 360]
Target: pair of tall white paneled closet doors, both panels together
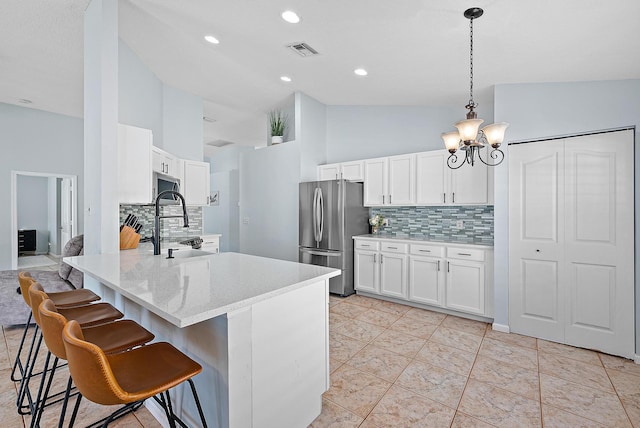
[571, 241]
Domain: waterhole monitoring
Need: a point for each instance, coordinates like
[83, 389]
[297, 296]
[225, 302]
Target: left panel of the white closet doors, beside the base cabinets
[536, 242]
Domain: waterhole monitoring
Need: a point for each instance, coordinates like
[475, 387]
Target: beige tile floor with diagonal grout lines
[396, 366]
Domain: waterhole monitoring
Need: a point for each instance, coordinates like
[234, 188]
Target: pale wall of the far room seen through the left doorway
[33, 208]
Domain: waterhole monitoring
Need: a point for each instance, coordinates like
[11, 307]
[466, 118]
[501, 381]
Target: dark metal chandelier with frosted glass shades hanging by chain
[467, 137]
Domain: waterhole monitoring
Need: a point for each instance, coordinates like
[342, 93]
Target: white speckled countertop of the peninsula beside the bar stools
[189, 290]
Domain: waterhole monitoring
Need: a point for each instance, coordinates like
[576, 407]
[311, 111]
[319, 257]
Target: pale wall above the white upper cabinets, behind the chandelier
[361, 132]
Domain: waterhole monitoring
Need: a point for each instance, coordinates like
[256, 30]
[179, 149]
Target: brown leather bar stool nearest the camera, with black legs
[128, 377]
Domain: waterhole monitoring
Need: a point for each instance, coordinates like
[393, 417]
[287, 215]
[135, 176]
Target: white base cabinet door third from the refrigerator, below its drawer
[426, 280]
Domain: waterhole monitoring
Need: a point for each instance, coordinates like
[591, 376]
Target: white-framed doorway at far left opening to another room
[58, 199]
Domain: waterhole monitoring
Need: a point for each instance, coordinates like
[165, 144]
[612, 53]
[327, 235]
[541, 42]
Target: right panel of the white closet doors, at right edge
[599, 242]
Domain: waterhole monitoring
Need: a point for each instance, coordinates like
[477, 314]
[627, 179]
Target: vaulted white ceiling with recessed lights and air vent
[416, 51]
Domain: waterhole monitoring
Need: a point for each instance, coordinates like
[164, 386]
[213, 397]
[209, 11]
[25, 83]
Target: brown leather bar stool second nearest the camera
[114, 337]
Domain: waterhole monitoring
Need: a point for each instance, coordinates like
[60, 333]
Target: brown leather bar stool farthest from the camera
[61, 299]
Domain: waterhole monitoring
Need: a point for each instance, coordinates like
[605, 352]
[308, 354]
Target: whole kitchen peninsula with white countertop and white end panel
[258, 327]
